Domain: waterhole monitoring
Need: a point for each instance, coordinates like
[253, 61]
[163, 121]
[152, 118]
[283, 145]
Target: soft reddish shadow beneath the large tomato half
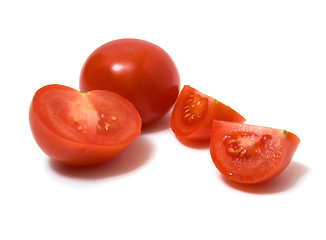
[132, 158]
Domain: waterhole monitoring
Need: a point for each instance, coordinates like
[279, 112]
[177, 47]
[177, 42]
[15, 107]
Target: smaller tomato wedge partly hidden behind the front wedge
[193, 114]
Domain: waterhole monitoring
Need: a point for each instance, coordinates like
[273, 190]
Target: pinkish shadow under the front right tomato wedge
[287, 180]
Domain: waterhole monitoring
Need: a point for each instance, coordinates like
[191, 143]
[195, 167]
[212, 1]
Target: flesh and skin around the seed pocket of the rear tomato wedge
[202, 131]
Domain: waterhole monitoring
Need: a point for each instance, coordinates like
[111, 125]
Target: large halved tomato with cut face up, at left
[82, 128]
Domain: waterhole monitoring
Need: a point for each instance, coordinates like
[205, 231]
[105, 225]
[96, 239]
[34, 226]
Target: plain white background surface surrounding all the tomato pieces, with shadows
[266, 59]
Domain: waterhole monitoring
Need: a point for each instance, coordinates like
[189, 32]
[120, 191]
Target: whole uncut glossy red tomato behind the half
[139, 70]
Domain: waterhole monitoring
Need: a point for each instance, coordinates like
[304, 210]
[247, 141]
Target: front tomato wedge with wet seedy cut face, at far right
[251, 154]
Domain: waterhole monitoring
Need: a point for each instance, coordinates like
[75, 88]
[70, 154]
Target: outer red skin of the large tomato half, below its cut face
[67, 151]
